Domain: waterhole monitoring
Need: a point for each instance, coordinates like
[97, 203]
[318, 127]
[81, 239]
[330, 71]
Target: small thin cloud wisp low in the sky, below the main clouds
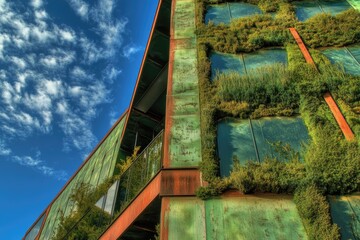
[39, 165]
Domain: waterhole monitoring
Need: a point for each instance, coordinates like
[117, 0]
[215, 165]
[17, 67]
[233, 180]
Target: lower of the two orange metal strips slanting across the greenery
[344, 126]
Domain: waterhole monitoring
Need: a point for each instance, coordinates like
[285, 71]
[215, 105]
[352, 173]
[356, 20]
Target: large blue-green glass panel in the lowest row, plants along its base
[234, 137]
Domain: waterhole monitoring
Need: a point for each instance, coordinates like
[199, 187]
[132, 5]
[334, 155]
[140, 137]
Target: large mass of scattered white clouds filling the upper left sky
[49, 80]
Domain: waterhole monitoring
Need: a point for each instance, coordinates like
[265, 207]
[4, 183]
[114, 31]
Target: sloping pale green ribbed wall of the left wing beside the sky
[104, 157]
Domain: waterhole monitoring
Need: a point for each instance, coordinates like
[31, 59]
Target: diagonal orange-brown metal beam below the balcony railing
[129, 215]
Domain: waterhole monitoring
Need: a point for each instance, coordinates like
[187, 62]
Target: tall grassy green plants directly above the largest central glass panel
[269, 85]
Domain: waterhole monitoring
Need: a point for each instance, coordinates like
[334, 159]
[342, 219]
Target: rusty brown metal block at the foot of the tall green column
[176, 182]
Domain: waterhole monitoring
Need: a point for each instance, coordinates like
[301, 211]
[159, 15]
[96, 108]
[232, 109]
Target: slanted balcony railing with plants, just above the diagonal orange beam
[120, 194]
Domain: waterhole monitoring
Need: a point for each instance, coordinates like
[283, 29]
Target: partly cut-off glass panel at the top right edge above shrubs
[308, 9]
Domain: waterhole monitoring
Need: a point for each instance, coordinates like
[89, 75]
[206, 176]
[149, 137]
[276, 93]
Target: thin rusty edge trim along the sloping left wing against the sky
[47, 210]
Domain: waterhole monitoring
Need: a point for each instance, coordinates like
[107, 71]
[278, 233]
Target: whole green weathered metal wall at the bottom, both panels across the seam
[238, 217]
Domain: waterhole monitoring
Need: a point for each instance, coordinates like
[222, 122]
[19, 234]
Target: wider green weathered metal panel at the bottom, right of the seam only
[253, 217]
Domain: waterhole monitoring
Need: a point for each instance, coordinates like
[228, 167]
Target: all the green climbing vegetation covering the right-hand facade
[331, 164]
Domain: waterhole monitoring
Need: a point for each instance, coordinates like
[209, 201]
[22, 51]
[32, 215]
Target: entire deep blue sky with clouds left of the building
[67, 72]
